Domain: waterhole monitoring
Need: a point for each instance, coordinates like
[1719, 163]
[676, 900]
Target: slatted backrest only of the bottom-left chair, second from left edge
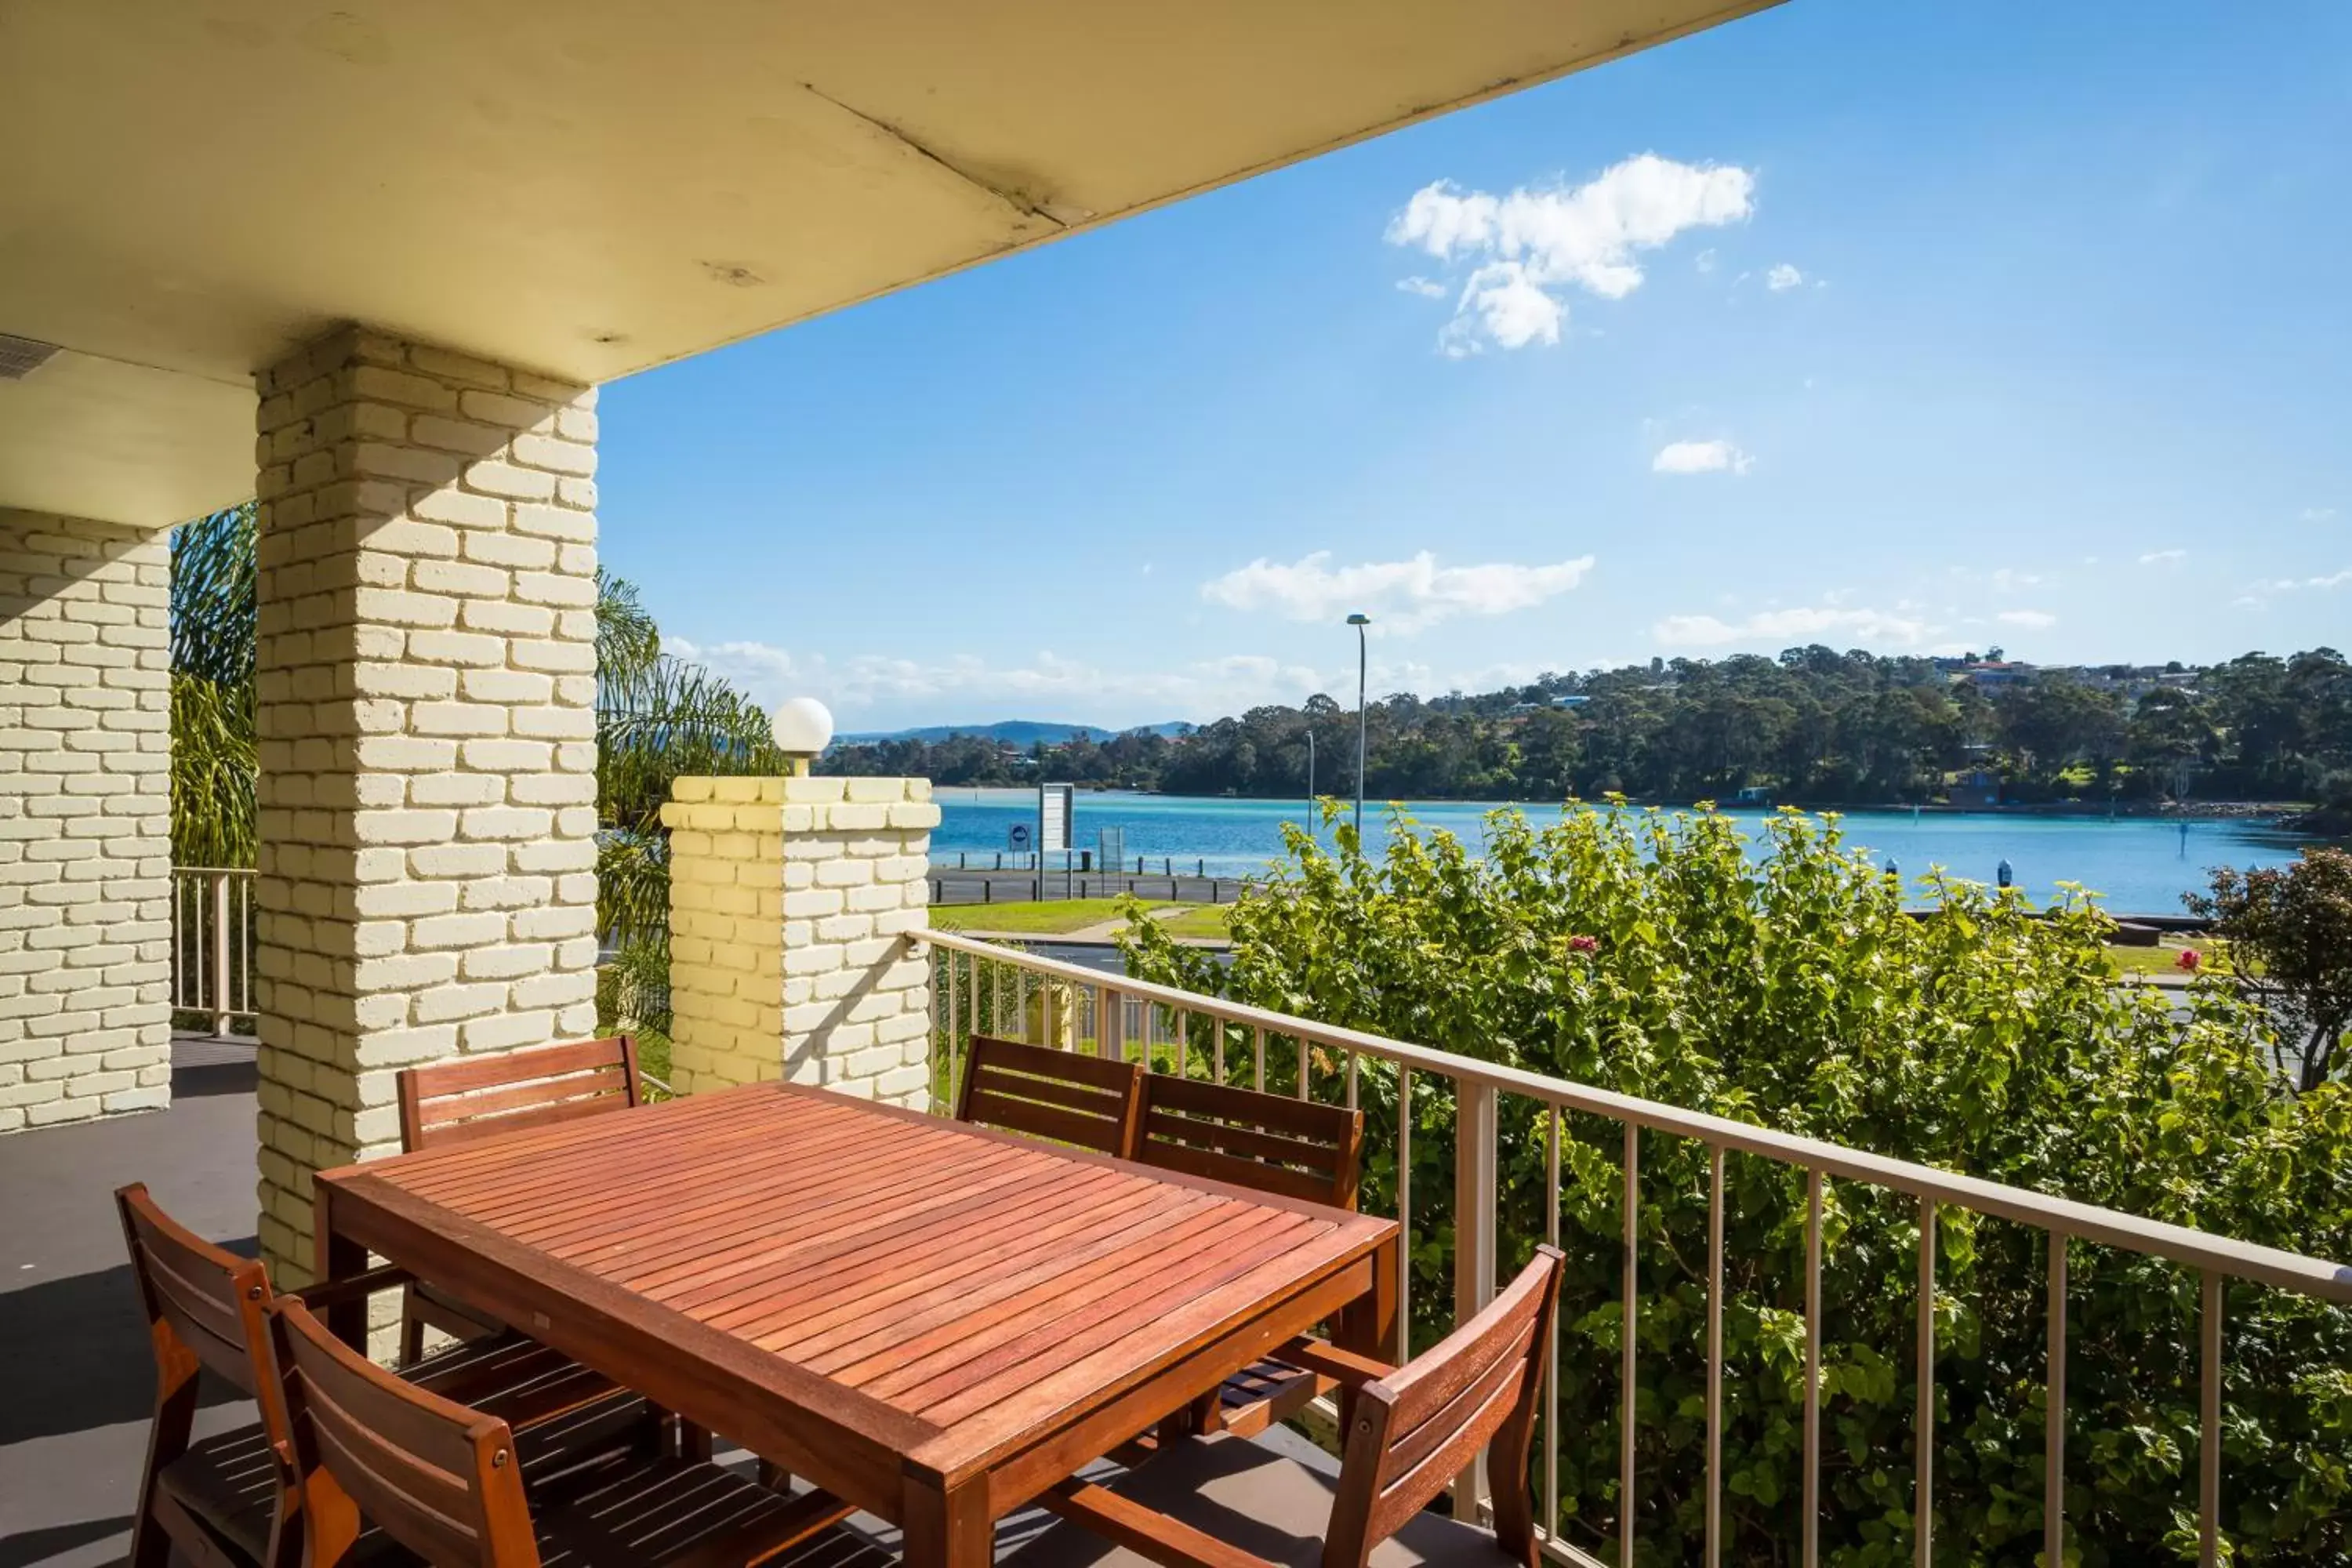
[429, 1473]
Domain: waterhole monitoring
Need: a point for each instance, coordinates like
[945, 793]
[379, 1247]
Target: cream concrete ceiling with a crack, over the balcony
[596, 187]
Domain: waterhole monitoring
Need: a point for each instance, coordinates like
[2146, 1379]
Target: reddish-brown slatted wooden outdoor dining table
[930, 1320]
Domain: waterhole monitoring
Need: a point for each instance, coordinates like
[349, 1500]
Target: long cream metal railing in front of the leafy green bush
[987, 989]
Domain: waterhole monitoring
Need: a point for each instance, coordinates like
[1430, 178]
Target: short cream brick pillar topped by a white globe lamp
[789, 909]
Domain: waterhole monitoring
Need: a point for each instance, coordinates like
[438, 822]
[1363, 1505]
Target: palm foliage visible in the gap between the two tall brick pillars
[213, 690]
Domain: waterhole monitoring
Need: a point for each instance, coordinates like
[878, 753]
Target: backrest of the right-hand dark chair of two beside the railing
[1297, 1148]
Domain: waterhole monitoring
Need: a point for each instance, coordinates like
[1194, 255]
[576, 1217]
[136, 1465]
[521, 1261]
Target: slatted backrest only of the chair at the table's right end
[1415, 1430]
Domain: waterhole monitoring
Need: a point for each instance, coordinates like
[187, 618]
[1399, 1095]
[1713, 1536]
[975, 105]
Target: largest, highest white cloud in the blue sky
[1528, 246]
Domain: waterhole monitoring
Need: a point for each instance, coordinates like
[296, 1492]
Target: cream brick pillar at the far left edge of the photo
[86, 836]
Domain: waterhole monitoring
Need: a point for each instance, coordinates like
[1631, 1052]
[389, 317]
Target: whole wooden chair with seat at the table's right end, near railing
[1408, 1438]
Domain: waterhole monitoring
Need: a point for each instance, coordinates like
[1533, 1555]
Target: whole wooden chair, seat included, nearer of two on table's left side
[443, 1480]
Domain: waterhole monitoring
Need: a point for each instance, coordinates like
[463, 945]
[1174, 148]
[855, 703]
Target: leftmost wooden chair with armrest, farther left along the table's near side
[227, 1501]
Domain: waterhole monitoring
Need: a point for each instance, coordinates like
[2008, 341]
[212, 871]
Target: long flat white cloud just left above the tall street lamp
[1398, 596]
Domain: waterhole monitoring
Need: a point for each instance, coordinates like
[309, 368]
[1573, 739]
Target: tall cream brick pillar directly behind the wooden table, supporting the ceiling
[427, 718]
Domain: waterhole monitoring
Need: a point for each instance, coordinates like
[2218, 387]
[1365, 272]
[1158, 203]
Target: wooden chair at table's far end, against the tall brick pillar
[476, 1097]
